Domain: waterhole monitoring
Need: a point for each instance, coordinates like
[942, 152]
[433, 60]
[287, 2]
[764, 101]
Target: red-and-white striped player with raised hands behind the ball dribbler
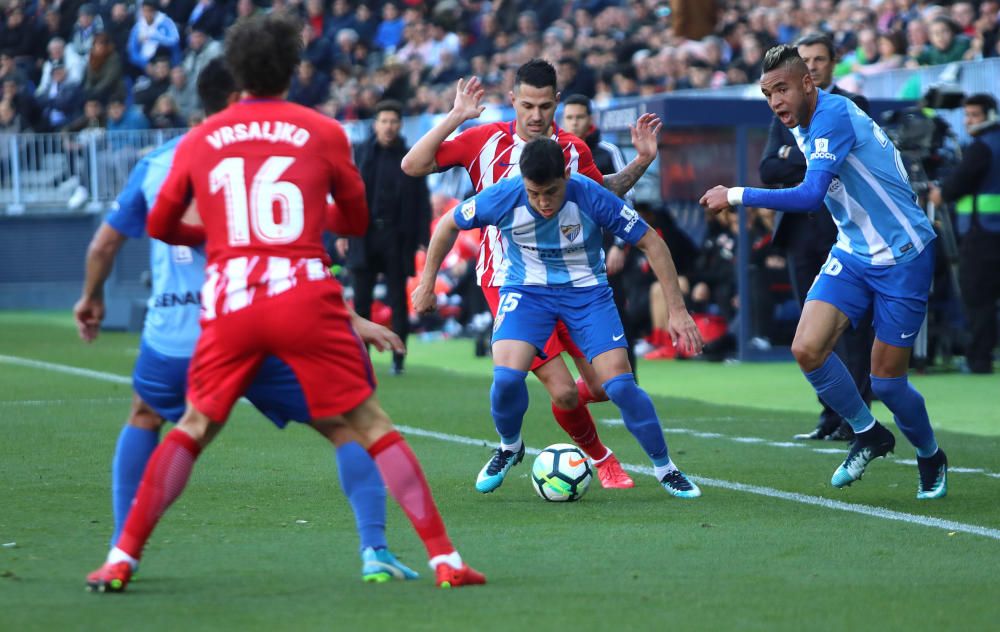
[490, 153]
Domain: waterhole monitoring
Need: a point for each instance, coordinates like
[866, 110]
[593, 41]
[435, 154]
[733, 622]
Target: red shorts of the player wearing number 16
[308, 327]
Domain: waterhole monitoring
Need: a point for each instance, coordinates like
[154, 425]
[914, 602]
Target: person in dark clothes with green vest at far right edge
[974, 187]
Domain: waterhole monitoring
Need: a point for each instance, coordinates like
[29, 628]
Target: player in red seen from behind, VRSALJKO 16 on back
[260, 173]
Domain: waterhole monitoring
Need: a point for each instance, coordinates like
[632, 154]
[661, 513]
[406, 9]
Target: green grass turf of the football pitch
[233, 553]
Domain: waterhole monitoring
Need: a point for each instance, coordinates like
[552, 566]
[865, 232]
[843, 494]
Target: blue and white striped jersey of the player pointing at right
[870, 196]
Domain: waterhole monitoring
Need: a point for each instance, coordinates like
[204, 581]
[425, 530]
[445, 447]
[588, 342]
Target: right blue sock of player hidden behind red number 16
[363, 486]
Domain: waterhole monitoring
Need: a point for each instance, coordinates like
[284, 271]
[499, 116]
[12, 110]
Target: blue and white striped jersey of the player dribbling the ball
[564, 250]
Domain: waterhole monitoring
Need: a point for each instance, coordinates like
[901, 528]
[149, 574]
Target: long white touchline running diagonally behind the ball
[816, 501]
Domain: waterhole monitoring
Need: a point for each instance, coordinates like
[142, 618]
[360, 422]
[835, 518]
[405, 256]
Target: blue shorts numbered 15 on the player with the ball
[529, 313]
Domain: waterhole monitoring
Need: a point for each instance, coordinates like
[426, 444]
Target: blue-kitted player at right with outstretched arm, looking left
[883, 260]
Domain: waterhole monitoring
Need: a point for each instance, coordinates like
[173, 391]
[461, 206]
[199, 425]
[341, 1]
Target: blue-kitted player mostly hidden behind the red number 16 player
[168, 338]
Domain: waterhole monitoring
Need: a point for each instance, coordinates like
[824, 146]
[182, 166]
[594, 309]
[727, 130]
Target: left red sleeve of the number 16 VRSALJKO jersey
[164, 221]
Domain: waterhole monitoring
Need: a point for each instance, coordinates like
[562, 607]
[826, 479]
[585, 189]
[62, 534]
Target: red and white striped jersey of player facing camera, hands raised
[490, 153]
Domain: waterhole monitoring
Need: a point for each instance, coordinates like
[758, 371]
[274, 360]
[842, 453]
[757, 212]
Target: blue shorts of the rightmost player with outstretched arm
[898, 293]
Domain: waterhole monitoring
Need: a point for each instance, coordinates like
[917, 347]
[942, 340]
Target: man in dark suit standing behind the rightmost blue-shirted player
[806, 238]
